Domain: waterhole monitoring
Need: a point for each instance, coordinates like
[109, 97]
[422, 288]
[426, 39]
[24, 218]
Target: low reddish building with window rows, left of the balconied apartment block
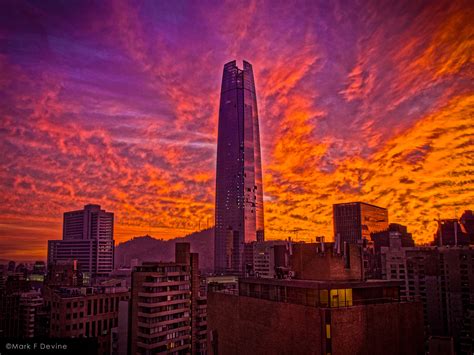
[89, 312]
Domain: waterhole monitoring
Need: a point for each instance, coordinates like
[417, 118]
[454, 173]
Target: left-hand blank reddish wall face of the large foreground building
[252, 326]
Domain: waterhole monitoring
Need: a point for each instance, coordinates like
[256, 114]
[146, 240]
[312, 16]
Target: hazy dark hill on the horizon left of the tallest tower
[147, 248]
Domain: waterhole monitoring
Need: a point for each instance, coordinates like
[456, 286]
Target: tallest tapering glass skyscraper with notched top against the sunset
[239, 188]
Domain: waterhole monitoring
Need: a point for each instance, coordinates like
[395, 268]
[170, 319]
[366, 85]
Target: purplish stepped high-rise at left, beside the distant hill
[88, 237]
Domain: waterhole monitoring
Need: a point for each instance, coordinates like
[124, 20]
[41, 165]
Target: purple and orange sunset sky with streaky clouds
[116, 103]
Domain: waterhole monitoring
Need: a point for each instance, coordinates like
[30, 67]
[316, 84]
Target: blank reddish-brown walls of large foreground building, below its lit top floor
[245, 325]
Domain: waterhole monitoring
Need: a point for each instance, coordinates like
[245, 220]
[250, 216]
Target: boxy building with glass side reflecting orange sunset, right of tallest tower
[355, 221]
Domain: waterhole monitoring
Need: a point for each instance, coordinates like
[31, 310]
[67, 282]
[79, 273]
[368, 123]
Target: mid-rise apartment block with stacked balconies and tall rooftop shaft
[166, 307]
